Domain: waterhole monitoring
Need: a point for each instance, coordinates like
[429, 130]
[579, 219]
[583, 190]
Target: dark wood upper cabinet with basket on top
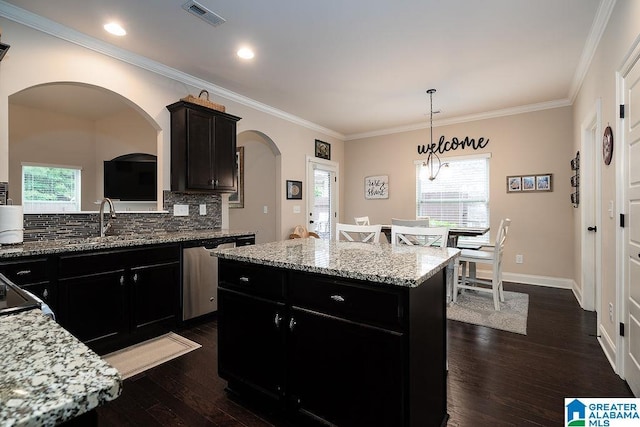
[203, 149]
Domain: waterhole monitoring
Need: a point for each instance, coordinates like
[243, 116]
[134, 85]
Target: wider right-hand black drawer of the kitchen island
[379, 307]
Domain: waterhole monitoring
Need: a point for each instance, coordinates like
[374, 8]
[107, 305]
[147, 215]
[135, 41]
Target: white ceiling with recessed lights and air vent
[361, 67]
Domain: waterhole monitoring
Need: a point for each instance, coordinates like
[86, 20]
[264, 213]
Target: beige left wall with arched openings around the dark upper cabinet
[150, 93]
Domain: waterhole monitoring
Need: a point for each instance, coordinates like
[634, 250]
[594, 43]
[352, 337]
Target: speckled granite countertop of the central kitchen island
[400, 265]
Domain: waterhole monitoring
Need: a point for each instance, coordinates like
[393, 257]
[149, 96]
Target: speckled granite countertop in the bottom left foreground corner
[47, 376]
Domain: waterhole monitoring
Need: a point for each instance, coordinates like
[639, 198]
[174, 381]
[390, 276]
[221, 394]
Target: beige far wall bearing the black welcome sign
[531, 143]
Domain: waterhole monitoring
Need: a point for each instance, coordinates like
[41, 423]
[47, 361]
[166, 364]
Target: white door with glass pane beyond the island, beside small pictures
[322, 196]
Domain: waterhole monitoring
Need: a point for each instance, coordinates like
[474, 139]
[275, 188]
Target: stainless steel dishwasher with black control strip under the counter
[200, 275]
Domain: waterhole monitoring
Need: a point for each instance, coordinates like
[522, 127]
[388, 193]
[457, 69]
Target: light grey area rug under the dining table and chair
[477, 308]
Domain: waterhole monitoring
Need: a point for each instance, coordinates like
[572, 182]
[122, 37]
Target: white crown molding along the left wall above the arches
[54, 29]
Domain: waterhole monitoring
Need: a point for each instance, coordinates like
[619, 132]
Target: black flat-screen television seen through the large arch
[130, 180]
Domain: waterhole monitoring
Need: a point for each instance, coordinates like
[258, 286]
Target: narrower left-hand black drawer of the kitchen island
[267, 282]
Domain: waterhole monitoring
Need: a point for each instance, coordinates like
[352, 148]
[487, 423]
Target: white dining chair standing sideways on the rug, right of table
[493, 256]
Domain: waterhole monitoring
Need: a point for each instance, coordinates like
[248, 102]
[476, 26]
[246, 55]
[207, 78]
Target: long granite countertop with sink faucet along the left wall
[47, 247]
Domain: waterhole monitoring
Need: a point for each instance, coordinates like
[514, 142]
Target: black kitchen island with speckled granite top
[343, 333]
